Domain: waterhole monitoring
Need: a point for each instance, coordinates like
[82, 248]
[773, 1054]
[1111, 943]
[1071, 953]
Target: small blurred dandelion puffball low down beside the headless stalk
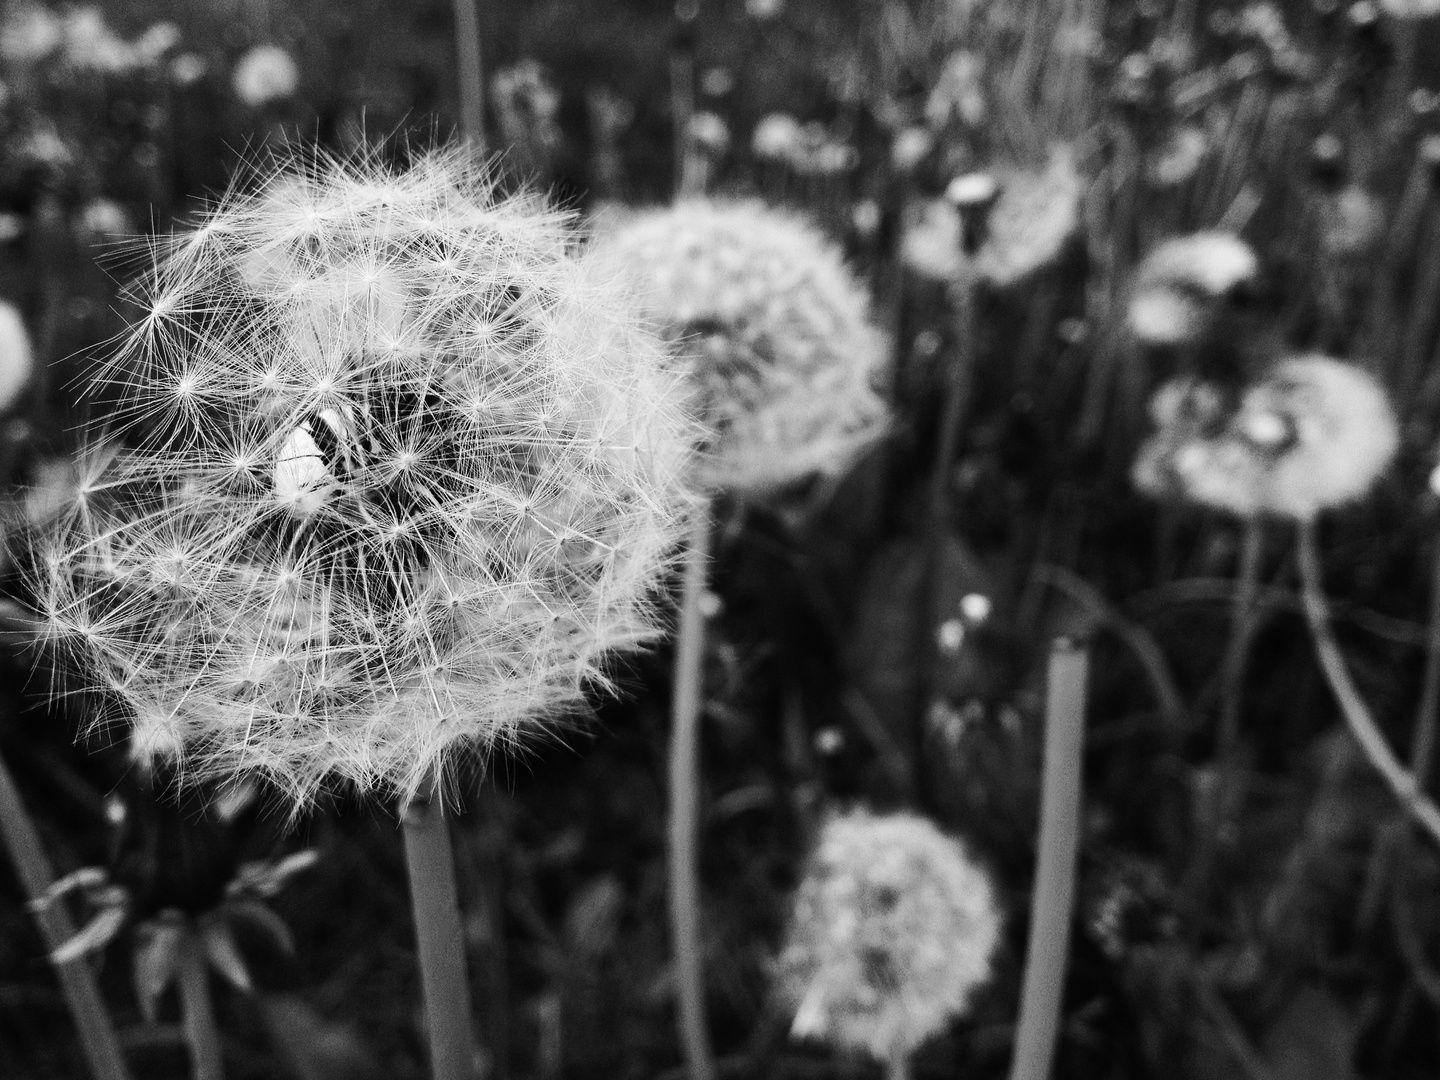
[894, 930]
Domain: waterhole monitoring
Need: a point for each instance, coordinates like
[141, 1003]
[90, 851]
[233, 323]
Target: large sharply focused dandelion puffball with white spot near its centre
[400, 473]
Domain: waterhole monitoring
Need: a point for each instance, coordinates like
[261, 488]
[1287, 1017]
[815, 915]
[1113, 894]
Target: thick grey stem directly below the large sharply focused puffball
[440, 941]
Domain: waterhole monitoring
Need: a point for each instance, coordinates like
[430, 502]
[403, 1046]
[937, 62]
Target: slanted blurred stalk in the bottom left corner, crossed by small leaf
[76, 977]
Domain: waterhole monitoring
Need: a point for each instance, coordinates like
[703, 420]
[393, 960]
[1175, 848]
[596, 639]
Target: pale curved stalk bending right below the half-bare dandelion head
[1353, 706]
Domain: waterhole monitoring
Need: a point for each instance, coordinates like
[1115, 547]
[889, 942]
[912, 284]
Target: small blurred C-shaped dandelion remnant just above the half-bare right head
[1179, 283]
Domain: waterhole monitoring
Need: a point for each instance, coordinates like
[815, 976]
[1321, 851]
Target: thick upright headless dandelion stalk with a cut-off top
[1053, 898]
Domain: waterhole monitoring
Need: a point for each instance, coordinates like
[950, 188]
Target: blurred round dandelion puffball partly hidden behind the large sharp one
[773, 328]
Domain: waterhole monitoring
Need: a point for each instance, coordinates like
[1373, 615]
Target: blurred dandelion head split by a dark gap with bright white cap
[1027, 225]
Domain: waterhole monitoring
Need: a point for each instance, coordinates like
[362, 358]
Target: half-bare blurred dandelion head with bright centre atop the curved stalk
[1313, 436]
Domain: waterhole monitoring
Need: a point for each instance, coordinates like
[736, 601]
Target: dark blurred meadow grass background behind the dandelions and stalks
[1252, 902]
